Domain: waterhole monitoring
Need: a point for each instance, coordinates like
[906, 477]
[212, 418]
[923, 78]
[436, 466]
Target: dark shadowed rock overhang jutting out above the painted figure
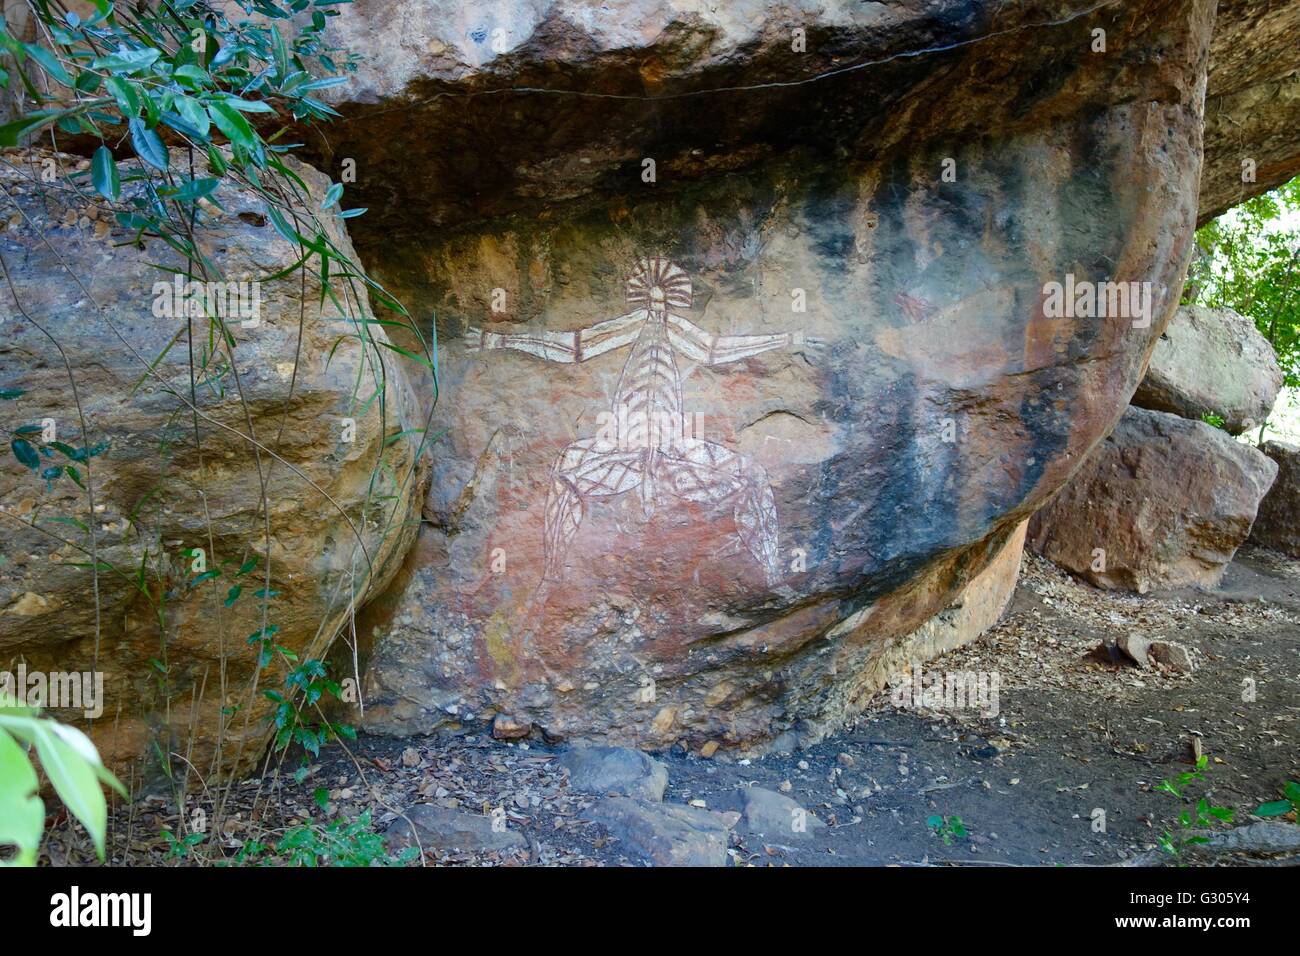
[582, 94]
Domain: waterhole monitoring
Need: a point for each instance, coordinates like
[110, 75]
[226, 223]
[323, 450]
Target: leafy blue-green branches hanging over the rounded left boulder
[205, 101]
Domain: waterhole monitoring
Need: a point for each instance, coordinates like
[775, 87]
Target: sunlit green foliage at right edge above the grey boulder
[1253, 266]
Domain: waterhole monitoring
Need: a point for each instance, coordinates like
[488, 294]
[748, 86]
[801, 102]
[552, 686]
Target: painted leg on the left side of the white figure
[588, 469]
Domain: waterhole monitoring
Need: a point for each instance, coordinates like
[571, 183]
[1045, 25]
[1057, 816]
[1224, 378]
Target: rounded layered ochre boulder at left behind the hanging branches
[174, 646]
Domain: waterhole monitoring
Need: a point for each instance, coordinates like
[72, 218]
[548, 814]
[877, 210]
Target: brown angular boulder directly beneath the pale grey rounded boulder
[1163, 503]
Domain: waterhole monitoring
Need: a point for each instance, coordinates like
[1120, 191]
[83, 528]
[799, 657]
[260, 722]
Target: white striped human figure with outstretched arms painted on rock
[648, 444]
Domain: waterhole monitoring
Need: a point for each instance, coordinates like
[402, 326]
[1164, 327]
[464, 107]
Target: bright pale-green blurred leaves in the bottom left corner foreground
[72, 765]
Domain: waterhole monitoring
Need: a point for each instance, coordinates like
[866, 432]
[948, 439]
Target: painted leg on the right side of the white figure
[701, 471]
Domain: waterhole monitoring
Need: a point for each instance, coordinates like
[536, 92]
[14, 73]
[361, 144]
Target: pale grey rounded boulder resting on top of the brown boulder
[1212, 361]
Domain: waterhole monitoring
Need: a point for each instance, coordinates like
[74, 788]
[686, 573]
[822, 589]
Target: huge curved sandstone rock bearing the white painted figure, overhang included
[720, 440]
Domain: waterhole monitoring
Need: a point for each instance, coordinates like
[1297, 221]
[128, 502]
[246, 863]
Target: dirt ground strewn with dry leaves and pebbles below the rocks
[1077, 732]
